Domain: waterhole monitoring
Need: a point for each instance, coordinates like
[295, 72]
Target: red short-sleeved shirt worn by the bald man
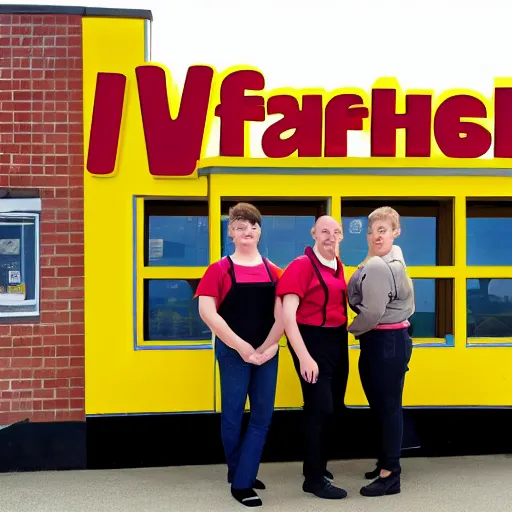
[301, 279]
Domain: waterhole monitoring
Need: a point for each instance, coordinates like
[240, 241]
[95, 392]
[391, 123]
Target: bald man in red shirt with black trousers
[313, 290]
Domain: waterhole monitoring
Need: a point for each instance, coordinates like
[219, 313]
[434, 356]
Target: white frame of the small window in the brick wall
[25, 208]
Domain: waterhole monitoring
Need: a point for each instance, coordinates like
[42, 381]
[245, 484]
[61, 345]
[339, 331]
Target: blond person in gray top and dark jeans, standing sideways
[382, 295]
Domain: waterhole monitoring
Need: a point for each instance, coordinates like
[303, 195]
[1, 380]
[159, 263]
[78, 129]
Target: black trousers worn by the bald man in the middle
[328, 346]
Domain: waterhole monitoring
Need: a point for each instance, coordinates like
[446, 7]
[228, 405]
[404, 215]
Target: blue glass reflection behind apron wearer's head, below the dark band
[283, 237]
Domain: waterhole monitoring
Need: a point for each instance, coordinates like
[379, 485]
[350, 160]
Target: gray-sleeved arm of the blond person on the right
[375, 297]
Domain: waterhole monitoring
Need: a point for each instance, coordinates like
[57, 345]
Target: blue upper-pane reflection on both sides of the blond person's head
[417, 240]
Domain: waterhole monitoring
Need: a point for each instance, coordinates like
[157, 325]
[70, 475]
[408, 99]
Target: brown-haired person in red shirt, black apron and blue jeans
[237, 300]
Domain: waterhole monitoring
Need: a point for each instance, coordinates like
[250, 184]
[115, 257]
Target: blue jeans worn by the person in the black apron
[237, 380]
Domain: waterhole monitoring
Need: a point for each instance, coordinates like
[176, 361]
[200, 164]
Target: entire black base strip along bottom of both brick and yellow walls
[109, 442]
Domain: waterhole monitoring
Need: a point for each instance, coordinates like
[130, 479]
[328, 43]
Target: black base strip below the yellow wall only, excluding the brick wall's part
[164, 440]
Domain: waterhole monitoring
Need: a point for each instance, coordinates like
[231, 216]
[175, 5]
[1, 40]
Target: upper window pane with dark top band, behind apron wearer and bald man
[286, 228]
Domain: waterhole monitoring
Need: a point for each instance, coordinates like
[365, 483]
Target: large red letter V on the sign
[173, 145]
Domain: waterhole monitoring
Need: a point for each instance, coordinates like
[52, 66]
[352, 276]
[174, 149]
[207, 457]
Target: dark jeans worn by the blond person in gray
[383, 363]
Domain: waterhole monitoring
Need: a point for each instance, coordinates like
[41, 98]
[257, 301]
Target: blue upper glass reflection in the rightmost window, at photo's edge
[489, 241]
